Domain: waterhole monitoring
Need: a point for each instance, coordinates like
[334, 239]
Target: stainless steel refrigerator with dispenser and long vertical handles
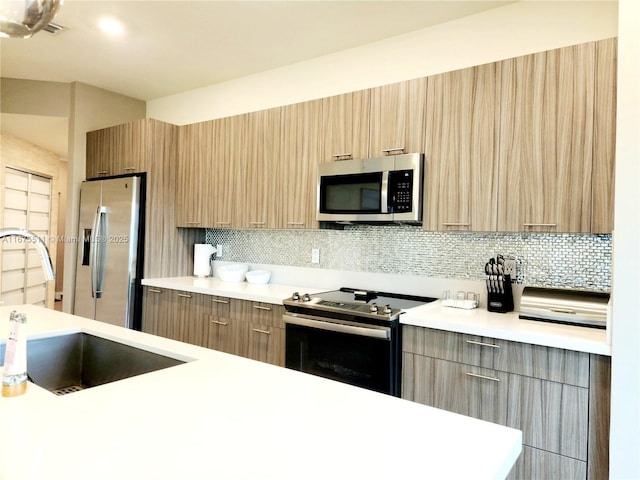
[110, 250]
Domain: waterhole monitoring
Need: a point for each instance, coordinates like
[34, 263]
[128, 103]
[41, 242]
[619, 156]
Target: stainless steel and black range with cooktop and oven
[348, 335]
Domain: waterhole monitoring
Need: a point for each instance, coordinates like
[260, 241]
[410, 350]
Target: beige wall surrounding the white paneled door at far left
[15, 152]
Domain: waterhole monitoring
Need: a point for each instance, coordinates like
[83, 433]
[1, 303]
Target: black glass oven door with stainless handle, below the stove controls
[360, 355]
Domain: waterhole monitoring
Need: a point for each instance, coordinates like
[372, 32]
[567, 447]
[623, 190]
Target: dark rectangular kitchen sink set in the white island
[70, 363]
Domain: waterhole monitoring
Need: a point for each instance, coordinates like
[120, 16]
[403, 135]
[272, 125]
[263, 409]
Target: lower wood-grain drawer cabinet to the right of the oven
[558, 398]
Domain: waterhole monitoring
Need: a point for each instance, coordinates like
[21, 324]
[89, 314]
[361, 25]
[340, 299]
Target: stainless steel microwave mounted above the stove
[372, 190]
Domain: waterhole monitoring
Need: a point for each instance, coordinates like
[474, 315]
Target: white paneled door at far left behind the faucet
[27, 204]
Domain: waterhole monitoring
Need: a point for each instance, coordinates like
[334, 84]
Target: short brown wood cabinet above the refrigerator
[117, 150]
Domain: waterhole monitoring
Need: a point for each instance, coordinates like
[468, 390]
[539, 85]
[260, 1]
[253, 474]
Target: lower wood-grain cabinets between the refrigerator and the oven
[240, 327]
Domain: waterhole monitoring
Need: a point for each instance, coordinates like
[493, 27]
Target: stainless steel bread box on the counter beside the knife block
[574, 307]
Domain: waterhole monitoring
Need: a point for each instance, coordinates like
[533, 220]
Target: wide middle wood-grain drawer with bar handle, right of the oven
[552, 416]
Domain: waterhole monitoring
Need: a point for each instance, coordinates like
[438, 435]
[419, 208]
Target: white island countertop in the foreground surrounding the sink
[226, 417]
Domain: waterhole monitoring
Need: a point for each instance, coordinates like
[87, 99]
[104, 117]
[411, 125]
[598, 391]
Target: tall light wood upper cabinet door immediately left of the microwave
[296, 184]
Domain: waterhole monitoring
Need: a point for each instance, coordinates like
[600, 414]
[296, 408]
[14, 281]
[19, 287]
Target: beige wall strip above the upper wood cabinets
[515, 29]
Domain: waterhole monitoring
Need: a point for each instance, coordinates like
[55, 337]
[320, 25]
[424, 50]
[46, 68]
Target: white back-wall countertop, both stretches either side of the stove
[479, 321]
